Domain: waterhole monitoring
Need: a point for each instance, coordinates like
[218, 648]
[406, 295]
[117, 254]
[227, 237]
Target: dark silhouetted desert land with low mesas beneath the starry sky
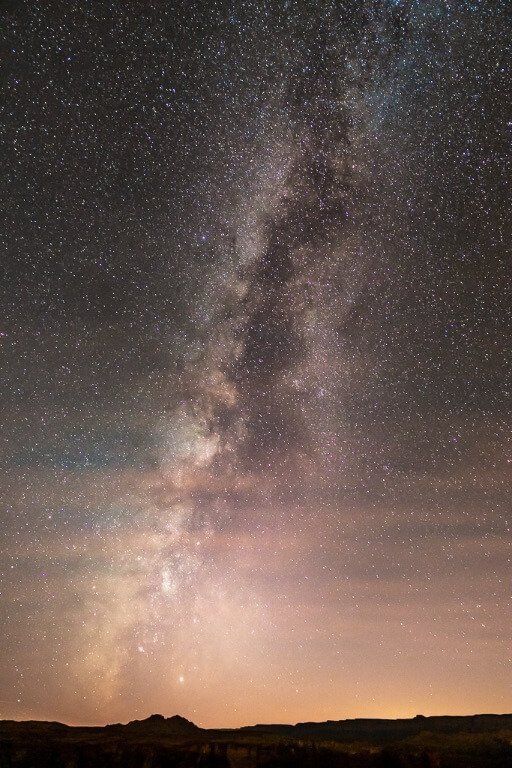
[479, 741]
